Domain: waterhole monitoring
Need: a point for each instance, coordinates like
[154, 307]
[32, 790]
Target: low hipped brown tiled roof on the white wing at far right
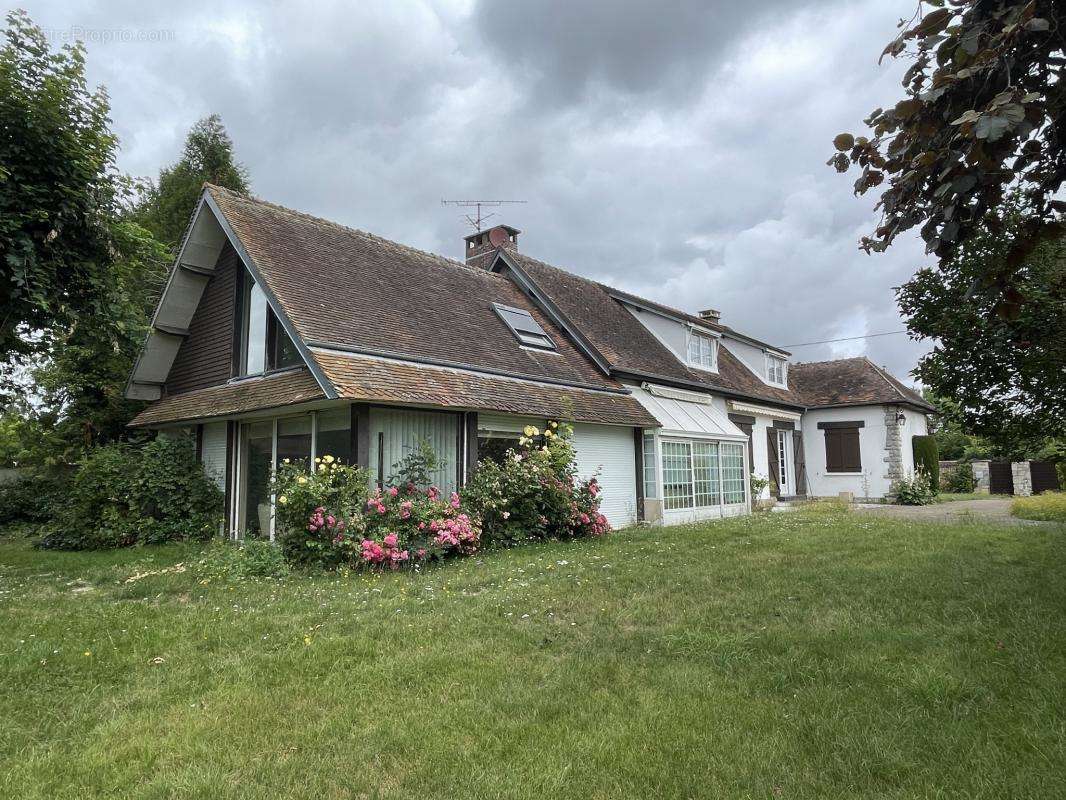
[850, 382]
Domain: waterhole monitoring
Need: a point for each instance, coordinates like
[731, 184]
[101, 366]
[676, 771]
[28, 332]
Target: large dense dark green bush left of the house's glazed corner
[147, 494]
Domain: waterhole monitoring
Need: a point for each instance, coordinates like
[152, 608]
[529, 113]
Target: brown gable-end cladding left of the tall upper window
[206, 356]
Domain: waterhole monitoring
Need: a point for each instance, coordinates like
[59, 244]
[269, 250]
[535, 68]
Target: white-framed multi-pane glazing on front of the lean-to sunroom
[700, 475]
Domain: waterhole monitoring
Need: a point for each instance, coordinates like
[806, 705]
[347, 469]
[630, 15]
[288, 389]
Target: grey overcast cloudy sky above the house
[674, 150]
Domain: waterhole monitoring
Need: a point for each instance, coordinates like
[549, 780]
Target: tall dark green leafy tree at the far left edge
[58, 189]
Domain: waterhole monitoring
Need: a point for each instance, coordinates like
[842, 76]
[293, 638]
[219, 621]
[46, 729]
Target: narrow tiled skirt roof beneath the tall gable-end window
[239, 397]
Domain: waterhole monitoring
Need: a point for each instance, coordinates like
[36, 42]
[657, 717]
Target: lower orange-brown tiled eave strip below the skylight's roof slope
[363, 378]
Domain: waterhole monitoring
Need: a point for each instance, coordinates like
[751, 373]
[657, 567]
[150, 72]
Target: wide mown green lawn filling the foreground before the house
[817, 654]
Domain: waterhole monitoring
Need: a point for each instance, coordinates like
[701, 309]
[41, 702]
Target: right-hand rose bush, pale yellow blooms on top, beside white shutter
[535, 493]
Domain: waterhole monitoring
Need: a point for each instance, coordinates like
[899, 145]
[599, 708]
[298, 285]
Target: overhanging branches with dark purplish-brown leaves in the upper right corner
[983, 111]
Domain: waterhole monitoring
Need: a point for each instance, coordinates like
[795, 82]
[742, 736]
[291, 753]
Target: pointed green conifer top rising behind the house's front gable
[168, 205]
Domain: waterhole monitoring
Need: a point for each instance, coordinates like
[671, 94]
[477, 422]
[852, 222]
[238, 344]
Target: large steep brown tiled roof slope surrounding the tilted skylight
[352, 290]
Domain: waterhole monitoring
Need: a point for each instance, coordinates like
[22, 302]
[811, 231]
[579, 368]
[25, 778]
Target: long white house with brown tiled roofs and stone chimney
[285, 337]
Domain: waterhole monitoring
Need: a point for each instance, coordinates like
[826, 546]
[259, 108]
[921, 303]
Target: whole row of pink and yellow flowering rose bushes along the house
[328, 518]
